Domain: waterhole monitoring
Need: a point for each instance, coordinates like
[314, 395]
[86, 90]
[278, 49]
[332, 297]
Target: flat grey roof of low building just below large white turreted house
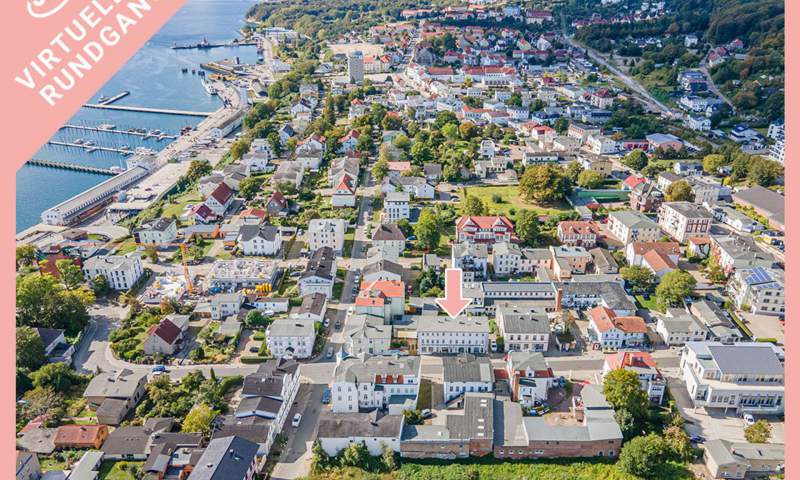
[372, 424]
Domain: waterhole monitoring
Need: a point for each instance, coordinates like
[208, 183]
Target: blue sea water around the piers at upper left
[153, 76]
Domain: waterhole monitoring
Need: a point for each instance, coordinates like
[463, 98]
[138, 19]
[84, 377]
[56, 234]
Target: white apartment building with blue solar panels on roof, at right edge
[758, 290]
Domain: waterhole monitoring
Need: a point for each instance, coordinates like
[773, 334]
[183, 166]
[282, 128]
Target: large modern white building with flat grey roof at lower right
[742, 377]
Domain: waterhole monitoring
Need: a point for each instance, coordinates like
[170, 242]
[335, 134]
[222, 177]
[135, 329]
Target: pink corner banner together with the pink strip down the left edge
[56, 55]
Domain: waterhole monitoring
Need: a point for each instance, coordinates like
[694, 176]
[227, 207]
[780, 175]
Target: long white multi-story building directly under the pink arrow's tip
[440, 334]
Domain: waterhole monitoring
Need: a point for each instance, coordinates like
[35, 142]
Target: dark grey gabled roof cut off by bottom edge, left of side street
[227, 458]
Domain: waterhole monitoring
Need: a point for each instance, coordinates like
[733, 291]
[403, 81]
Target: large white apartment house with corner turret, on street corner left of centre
[371, 382]
